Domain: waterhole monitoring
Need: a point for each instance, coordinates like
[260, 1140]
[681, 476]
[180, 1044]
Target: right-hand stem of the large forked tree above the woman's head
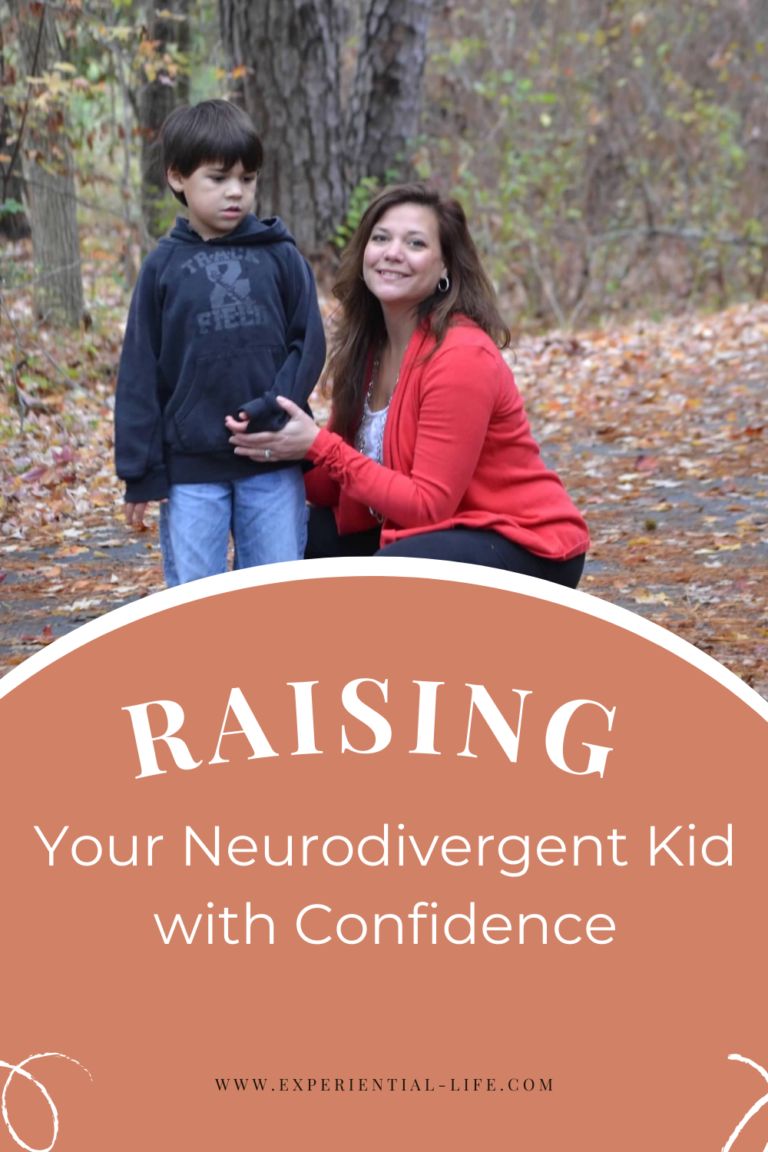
[386, 97]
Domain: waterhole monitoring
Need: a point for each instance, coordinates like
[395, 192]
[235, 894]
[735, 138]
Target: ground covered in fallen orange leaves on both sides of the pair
[660, 433]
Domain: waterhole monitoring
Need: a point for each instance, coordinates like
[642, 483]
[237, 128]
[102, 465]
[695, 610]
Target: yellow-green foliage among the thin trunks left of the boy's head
[90, 101]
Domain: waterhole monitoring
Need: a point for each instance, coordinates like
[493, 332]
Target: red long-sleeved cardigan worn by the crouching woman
[458, 452]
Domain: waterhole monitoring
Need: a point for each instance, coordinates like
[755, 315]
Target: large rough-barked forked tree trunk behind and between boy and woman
[291, 54]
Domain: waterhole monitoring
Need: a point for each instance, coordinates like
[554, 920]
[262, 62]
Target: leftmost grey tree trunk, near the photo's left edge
[50, 179]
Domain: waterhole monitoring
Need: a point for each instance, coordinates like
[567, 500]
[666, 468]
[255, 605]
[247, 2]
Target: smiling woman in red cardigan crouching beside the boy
[431, 453]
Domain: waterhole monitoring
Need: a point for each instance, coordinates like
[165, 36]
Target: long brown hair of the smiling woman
[362, 327]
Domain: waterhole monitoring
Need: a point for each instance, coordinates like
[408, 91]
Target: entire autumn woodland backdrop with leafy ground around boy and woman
[613, 161]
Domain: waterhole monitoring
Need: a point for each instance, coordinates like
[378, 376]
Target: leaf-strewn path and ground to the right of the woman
[660, 433]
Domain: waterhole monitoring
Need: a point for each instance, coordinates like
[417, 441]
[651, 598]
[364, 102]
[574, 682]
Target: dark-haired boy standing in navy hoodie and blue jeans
[224, 320]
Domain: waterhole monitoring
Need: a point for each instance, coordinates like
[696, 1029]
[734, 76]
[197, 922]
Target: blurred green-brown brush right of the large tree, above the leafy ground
[609, 157]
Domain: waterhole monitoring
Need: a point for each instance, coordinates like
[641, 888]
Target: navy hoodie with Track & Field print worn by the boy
[216, 328]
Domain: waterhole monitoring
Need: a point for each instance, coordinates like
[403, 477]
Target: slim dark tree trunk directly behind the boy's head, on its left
[158, 100]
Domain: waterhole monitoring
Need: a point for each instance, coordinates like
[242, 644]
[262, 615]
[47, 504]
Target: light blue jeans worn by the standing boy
[265, 513]
